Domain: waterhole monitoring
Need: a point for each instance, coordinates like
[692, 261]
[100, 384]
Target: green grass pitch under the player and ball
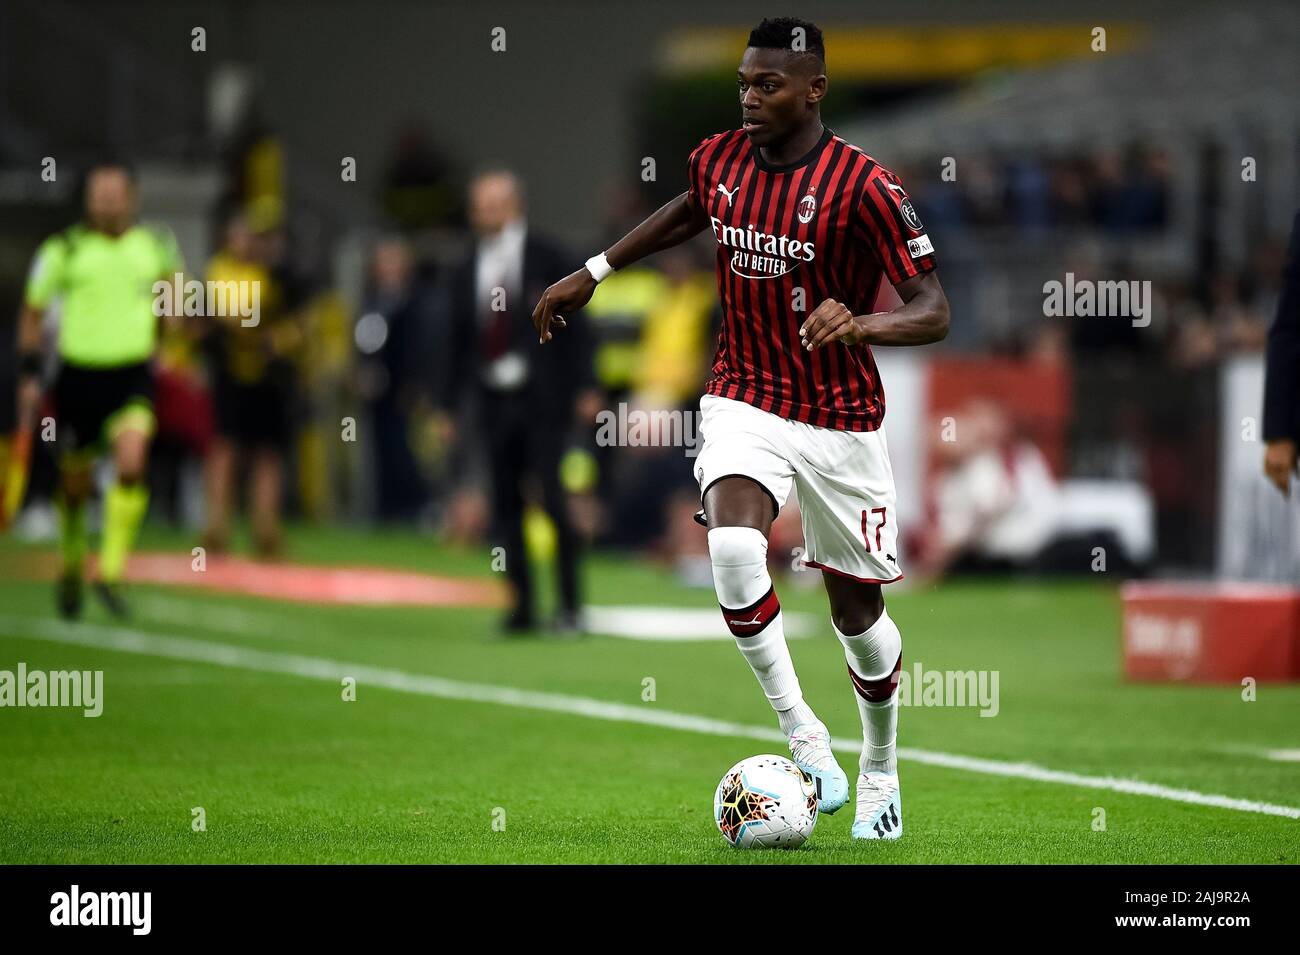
[288, 772]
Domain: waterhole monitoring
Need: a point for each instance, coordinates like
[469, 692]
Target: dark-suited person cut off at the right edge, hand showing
[1282, 383]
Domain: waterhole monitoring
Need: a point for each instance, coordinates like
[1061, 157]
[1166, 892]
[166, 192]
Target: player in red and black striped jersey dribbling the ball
[805, 224]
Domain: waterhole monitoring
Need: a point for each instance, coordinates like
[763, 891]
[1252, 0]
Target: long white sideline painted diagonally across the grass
[317, 668]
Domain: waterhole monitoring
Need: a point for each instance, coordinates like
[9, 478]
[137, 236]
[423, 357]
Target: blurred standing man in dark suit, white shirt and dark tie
[528, 400]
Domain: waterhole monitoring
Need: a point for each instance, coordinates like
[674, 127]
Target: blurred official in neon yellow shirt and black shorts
[103, 272]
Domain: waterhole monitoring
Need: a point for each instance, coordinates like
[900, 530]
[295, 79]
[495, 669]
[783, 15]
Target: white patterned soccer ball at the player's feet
[766, 802]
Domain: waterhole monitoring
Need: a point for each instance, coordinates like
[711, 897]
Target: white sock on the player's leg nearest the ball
[753, 614]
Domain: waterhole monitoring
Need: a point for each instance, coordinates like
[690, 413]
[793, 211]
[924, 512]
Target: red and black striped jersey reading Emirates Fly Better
[788, 238]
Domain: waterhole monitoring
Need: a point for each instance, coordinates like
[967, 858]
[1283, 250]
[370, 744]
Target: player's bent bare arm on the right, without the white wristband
[921, 319]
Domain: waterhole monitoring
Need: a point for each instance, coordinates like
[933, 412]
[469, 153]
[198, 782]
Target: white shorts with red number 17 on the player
[844, 479]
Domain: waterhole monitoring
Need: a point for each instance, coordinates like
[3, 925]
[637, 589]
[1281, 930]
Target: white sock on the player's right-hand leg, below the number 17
[874, 659]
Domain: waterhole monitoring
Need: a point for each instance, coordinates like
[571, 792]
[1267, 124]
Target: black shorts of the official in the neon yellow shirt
[86, 398]
